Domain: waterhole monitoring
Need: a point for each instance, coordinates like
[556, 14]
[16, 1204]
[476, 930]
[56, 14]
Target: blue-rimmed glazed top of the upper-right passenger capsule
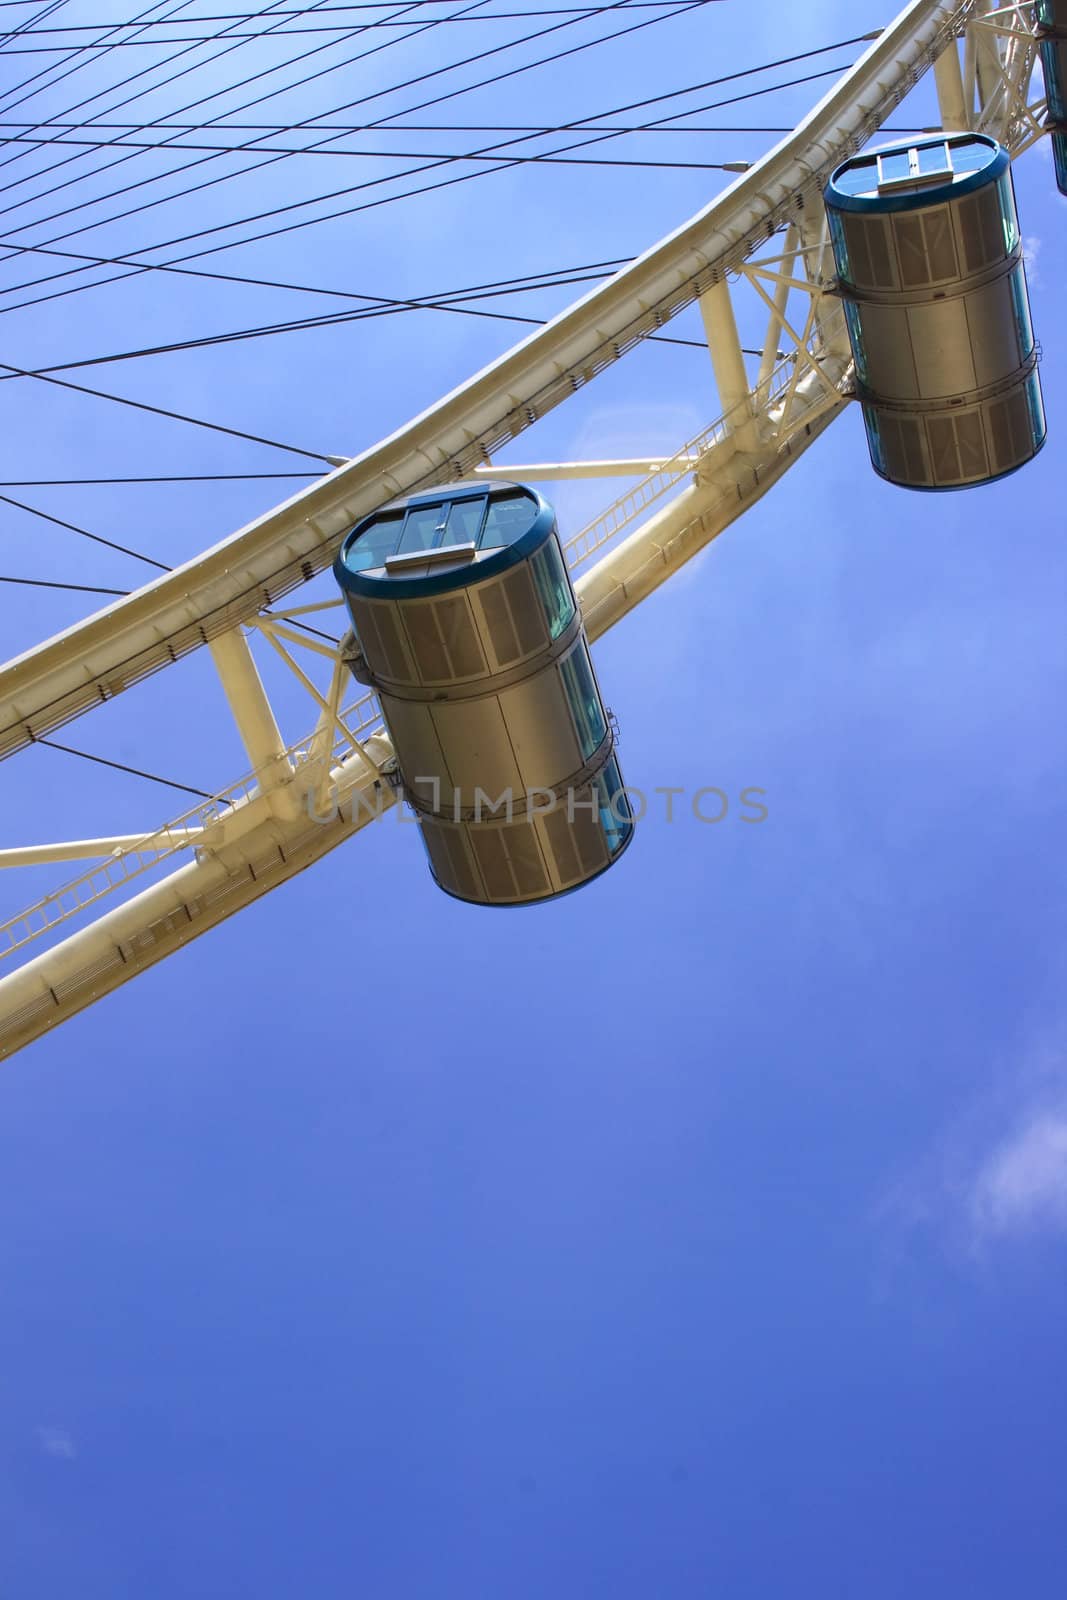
[913, 174]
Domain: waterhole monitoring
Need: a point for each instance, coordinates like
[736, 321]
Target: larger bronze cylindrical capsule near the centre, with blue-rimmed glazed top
[468, 628]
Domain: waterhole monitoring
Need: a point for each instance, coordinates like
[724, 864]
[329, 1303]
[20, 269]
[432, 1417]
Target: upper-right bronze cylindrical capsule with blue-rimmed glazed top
[930, 268]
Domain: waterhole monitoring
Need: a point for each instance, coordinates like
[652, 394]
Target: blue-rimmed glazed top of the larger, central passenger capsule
[444, 538]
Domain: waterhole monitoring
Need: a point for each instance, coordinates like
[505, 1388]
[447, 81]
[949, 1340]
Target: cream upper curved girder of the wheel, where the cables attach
[249, 572]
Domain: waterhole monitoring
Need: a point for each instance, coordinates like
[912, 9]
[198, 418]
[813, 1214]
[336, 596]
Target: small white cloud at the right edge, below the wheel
[1023, 1185]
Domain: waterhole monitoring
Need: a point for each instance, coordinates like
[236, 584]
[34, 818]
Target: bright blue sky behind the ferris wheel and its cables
[700, 1234]
